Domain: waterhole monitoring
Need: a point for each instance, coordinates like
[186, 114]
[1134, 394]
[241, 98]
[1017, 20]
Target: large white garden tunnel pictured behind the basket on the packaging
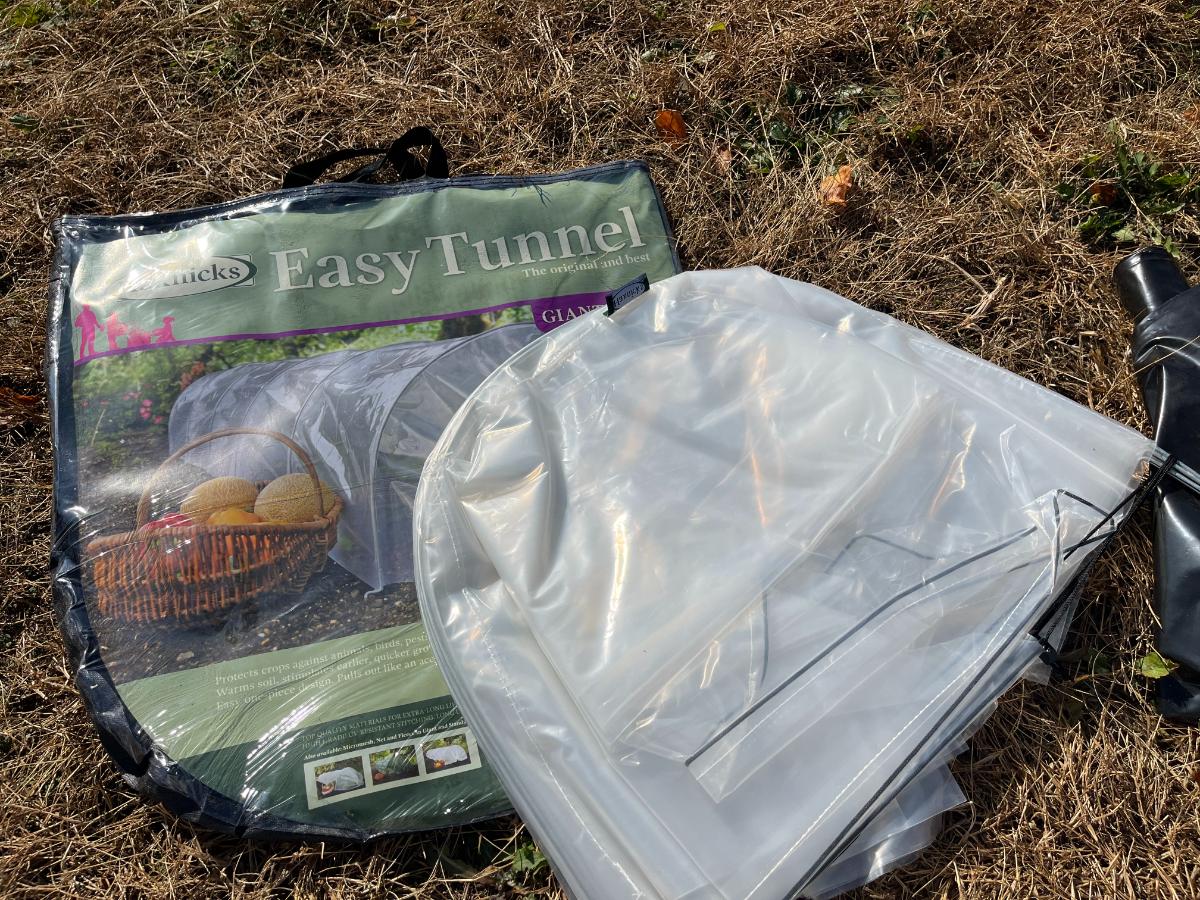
[369, 418]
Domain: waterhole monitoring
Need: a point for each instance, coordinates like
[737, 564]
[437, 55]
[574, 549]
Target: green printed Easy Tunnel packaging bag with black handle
[244, 397]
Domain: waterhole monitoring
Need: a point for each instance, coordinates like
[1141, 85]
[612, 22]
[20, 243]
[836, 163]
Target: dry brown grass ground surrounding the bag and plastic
[994, 147]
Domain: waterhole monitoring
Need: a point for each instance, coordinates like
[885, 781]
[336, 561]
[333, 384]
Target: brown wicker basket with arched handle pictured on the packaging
[206, 571]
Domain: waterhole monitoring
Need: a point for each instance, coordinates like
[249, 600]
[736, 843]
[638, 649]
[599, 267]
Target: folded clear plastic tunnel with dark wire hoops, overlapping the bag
[723, 580]
